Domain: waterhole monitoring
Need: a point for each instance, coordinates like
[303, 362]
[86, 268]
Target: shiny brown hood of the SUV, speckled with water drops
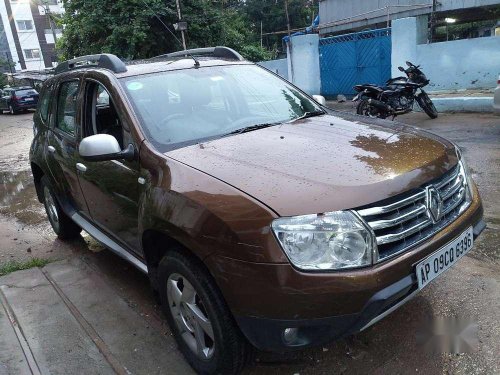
[324, 163]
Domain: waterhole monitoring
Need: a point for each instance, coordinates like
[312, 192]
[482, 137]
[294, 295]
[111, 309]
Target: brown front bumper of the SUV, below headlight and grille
[268, 298]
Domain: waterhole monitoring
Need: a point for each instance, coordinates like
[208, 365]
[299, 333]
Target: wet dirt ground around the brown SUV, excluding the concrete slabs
[469, 290]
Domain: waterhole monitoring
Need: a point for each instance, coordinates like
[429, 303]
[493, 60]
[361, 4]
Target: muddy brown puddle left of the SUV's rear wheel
[18, 198]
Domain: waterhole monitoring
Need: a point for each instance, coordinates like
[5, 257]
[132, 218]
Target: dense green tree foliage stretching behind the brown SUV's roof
[134, 29]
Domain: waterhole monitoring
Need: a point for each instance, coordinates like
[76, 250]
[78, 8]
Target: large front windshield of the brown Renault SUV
[183, 107]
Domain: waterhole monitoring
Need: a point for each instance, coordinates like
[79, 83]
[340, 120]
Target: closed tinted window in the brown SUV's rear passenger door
[66, 107]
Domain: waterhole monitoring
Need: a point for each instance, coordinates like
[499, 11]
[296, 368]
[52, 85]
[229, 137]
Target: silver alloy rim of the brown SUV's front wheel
[190, 316]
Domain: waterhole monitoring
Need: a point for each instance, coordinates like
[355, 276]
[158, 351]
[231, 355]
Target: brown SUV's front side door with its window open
[111, 188]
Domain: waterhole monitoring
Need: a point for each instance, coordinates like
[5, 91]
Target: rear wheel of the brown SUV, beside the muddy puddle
[63, 226]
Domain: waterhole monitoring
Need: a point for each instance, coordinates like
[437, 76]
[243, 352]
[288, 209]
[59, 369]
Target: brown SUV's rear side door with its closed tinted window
[61, 148]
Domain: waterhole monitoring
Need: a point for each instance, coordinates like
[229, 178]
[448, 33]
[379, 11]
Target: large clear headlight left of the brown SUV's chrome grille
[330, 241]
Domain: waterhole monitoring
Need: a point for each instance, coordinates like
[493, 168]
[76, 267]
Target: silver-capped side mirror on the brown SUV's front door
[101, 147]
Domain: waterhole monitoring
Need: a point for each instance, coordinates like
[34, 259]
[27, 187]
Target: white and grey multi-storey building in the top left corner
[27, 31]
